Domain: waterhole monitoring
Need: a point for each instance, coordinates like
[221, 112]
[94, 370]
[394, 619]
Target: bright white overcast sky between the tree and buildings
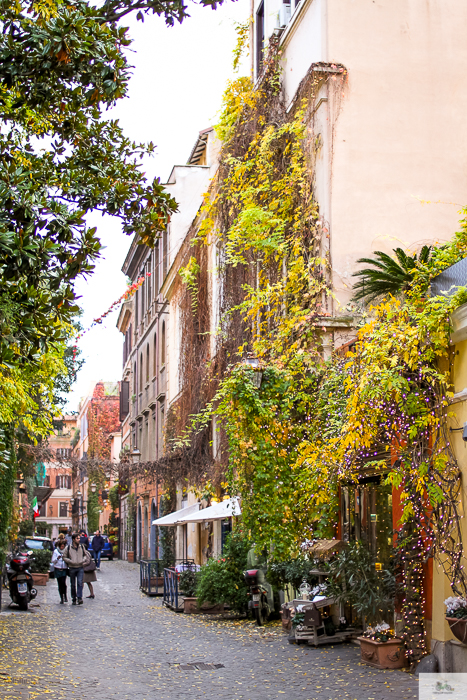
[178, 79]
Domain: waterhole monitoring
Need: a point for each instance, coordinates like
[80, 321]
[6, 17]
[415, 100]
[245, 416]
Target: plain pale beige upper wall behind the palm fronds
[401, 133]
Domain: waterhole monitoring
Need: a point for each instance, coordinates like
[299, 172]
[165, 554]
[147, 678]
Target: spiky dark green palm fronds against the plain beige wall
[387, 275]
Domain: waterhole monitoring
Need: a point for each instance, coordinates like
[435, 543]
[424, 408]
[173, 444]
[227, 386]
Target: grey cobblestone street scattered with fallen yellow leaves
[123, 645]
